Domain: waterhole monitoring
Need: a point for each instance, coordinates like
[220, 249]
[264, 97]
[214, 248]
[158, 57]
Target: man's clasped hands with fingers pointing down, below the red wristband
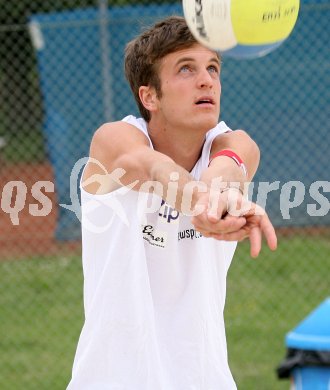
[230, 217]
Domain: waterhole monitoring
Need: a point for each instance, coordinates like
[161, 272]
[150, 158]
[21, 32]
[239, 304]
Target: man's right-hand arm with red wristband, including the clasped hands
[219, 207]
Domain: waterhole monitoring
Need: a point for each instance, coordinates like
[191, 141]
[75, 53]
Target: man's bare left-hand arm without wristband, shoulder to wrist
[121, 146]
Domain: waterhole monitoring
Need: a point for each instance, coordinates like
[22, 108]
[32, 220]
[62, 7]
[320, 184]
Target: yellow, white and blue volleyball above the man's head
[241, 28]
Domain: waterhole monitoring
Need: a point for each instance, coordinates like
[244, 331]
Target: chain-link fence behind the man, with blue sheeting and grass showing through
[61, 76]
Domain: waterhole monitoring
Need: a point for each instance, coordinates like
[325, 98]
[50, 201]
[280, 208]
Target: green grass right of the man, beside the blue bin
[267, 298]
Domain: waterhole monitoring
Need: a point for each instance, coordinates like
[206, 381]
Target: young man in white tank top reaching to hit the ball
[158, 234]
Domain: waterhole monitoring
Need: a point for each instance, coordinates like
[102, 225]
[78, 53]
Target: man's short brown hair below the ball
[143, 54]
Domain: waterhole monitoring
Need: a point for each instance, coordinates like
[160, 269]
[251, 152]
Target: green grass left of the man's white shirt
[41, 316]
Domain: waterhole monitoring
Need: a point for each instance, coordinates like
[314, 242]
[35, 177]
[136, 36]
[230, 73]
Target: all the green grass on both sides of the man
[41, 313]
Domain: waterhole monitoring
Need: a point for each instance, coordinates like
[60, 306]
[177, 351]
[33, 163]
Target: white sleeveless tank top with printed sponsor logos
[154, 294]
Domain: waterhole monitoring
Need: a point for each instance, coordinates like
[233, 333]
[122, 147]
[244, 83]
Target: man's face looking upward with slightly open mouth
[191, 88]
